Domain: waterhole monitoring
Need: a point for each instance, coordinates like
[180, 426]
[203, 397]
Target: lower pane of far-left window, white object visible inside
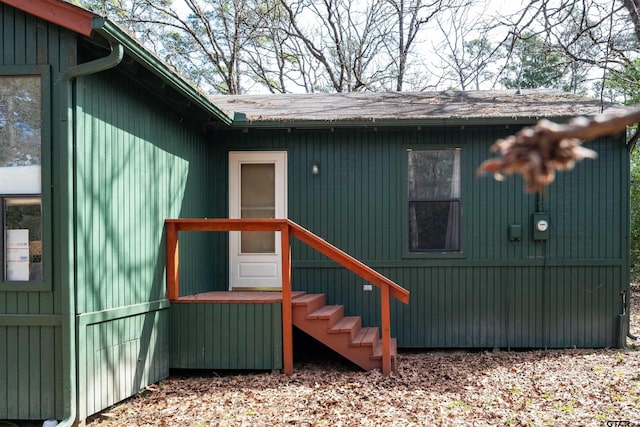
[23, 238]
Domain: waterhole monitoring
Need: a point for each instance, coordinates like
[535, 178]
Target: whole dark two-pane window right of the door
[434, 199]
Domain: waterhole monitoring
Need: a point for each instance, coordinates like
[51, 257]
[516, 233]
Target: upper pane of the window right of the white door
[434, 174]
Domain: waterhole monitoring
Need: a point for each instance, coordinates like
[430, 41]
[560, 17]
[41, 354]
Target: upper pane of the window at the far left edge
[20, 134]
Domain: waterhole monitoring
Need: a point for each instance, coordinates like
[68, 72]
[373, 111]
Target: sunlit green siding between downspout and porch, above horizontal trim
[127, 184]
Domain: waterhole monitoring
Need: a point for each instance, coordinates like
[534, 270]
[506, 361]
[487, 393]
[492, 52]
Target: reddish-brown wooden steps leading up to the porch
[343, 334]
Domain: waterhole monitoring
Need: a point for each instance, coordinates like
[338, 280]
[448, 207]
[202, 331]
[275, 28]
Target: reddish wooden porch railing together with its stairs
[344, 335]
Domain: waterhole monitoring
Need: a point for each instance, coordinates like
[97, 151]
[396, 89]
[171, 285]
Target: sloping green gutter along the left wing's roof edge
[149, 61]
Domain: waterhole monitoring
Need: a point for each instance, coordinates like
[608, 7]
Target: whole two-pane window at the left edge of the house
[21, 178]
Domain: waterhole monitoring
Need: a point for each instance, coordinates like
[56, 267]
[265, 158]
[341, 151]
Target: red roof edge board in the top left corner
[58, 12]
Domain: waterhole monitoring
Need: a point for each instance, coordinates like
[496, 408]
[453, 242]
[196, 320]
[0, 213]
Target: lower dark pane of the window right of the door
[434, 226]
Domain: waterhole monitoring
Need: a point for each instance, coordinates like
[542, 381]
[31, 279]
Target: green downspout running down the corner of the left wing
[67, 231]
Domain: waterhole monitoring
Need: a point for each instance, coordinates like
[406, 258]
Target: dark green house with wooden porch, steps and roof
[101, 143]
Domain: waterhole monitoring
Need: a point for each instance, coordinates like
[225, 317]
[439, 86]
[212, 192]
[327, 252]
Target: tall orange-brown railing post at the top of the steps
[287, 315]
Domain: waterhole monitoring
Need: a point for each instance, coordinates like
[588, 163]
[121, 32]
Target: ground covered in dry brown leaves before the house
[452, 388]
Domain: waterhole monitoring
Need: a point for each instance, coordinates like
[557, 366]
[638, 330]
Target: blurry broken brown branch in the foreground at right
[537, 152]
